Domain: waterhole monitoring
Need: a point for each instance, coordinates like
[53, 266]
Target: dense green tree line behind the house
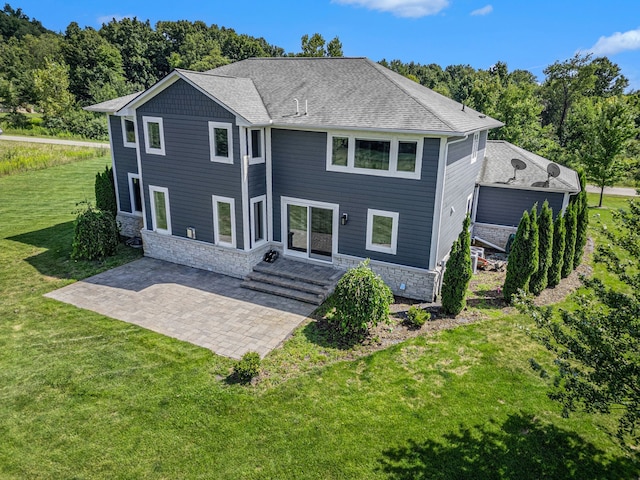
[579, 113]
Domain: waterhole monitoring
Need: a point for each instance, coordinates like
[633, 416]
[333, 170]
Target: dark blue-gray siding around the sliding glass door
[299, 171]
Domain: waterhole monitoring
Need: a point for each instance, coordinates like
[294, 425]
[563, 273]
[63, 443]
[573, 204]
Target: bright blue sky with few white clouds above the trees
[524, 34]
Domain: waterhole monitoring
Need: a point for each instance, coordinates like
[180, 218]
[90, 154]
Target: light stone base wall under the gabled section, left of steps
[197, 254]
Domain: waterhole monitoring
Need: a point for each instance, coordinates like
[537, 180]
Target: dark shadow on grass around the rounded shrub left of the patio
[55, 261]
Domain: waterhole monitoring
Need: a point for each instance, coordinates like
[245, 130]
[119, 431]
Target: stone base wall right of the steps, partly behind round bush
[419, 284]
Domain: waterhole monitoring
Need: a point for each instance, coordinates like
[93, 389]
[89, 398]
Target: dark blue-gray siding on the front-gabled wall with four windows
[186, 170]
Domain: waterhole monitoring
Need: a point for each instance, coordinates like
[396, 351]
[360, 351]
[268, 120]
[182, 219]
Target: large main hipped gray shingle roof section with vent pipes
[351, 93]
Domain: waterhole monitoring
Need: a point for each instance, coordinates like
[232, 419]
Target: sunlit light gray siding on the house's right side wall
[460, 180]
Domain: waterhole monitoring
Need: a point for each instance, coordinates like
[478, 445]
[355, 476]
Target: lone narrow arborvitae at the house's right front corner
[458, 273]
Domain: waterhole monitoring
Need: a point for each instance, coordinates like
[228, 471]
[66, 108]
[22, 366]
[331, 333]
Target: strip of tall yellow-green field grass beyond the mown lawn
[18, 157]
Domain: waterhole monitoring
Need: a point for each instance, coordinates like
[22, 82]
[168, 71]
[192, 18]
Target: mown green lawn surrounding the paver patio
[85, 396]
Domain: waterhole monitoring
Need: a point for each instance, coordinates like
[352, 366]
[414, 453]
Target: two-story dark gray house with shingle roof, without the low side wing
[328, 160]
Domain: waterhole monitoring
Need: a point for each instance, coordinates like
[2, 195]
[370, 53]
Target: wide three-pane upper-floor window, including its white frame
[393, 156]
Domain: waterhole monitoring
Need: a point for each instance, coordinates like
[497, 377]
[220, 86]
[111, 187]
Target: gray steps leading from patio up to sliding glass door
[296, 280]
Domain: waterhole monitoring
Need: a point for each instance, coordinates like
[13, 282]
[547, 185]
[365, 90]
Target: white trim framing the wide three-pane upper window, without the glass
[393, 155]
